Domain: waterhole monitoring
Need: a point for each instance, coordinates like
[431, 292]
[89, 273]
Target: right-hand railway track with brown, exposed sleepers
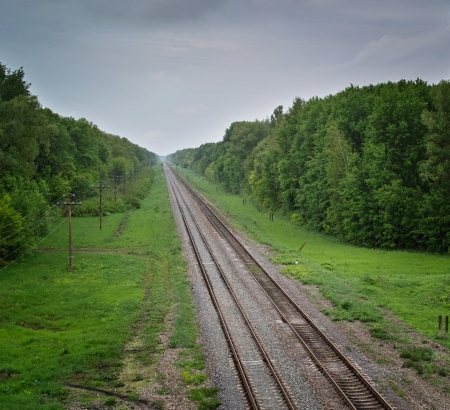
[349, 382]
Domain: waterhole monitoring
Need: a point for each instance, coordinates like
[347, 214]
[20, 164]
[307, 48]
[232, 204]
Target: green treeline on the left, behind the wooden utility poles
[44, 156]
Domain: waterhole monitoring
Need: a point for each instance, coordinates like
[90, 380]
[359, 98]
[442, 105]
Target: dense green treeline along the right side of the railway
[370, 165]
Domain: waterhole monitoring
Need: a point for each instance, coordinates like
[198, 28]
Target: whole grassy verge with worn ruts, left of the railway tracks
[60, 327]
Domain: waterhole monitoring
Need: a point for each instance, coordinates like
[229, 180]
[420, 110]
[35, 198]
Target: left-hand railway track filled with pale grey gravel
[255, 367]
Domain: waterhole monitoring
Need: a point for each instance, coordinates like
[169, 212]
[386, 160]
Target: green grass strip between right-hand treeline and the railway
[358, 281]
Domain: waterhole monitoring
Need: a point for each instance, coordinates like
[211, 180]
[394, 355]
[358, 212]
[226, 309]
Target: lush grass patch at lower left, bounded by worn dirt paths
[55, 323]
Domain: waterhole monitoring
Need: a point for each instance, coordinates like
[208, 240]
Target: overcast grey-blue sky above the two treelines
[174, 74]
